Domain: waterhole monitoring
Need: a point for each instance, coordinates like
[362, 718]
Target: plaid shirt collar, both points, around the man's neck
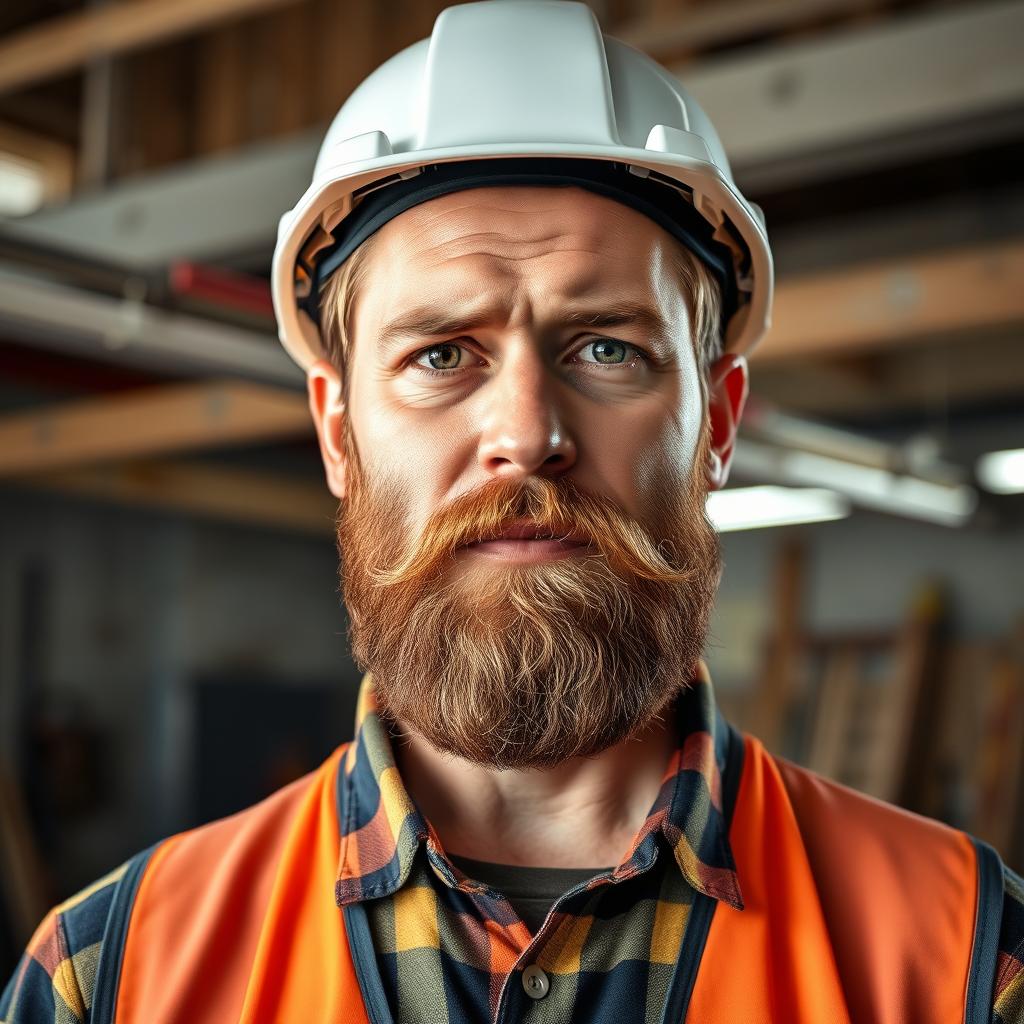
[382, 830]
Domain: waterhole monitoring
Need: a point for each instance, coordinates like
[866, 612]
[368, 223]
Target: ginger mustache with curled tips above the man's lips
[560, 508]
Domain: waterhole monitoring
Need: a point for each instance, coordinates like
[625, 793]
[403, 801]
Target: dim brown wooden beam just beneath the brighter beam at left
[220, 493]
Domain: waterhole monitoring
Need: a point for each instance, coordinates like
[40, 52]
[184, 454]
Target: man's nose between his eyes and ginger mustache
[524, 431]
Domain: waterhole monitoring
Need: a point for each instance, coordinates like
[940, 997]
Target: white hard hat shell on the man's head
[521, 78]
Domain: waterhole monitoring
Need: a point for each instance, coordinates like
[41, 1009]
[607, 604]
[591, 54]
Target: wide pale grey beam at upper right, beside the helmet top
[927, 80]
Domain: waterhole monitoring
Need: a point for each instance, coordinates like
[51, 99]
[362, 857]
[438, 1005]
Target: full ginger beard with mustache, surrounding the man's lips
[515, 666]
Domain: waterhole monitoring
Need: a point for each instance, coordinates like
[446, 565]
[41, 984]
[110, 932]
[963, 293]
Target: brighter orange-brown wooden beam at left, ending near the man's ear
[152, 421]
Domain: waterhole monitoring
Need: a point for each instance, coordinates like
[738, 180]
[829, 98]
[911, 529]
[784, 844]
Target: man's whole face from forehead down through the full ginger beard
[524, 356]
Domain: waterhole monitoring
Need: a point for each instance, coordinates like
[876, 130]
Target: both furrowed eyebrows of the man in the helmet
[431, 322]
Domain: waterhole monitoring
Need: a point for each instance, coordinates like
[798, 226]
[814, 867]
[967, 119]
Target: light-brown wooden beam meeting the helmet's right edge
[895, 302]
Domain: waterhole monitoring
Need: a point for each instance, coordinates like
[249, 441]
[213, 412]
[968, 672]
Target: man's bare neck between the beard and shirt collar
[583, 814]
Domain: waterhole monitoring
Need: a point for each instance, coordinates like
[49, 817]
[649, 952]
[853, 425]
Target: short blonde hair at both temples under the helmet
[338, 303]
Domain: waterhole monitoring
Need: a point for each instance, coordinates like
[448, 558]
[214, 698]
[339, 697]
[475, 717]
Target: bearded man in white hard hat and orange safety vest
[524, 329]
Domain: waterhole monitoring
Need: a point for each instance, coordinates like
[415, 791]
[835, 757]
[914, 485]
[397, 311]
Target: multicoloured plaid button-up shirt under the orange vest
[448, 947]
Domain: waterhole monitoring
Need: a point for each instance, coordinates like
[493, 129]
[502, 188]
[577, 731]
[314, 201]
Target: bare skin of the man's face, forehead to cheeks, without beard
[527, 394]
